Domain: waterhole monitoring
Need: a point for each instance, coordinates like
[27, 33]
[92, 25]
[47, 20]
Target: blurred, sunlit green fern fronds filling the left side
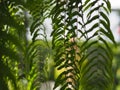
[23, 56]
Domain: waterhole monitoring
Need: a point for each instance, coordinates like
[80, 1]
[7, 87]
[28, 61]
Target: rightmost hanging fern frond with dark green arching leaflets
[98, 63]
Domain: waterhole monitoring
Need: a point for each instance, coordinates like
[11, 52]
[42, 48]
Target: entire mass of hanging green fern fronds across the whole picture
[80, 39]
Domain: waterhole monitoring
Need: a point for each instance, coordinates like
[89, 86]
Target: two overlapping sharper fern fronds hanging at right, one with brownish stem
[81, 38]
